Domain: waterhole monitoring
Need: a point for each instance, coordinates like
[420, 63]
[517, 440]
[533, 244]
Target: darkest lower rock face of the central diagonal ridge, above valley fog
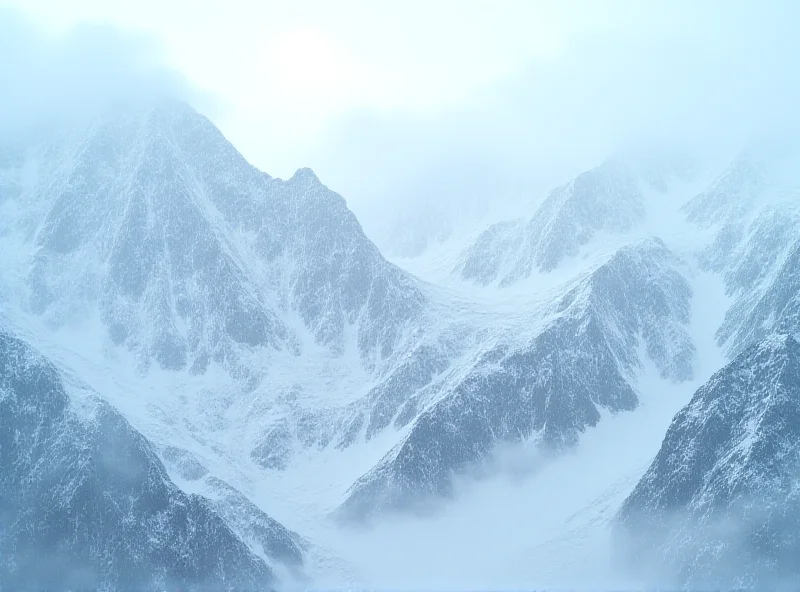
[530, 393]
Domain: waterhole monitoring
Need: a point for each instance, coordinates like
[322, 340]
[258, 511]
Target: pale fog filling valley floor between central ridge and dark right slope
[525, 520]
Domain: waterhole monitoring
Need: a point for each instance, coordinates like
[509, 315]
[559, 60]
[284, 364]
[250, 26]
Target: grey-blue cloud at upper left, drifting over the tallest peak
[51, 77]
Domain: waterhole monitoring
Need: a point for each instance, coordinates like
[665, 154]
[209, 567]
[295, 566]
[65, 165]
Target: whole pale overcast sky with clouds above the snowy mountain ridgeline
[435, 102]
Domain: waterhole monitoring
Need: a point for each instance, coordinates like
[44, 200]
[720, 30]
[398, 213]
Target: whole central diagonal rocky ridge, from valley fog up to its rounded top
[548, 389]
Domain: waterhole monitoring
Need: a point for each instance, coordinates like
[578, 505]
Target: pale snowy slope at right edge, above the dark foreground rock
[753, 213]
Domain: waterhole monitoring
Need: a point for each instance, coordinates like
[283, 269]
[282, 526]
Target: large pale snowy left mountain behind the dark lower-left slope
[148, 225]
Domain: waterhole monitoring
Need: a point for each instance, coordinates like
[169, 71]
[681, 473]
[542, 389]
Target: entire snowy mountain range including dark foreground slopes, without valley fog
[201, 362]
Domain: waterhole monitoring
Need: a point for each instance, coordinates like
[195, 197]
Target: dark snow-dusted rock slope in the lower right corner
[719, 508]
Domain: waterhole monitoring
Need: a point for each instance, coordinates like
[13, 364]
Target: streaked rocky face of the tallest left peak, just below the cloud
[130, 225]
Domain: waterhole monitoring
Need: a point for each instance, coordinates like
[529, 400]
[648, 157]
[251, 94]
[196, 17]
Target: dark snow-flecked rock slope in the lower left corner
[86, 504]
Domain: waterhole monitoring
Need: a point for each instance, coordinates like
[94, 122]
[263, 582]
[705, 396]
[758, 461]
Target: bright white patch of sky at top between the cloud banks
[287, 70]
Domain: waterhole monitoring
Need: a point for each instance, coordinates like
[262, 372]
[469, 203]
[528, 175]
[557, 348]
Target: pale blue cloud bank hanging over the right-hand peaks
[693, 79]
